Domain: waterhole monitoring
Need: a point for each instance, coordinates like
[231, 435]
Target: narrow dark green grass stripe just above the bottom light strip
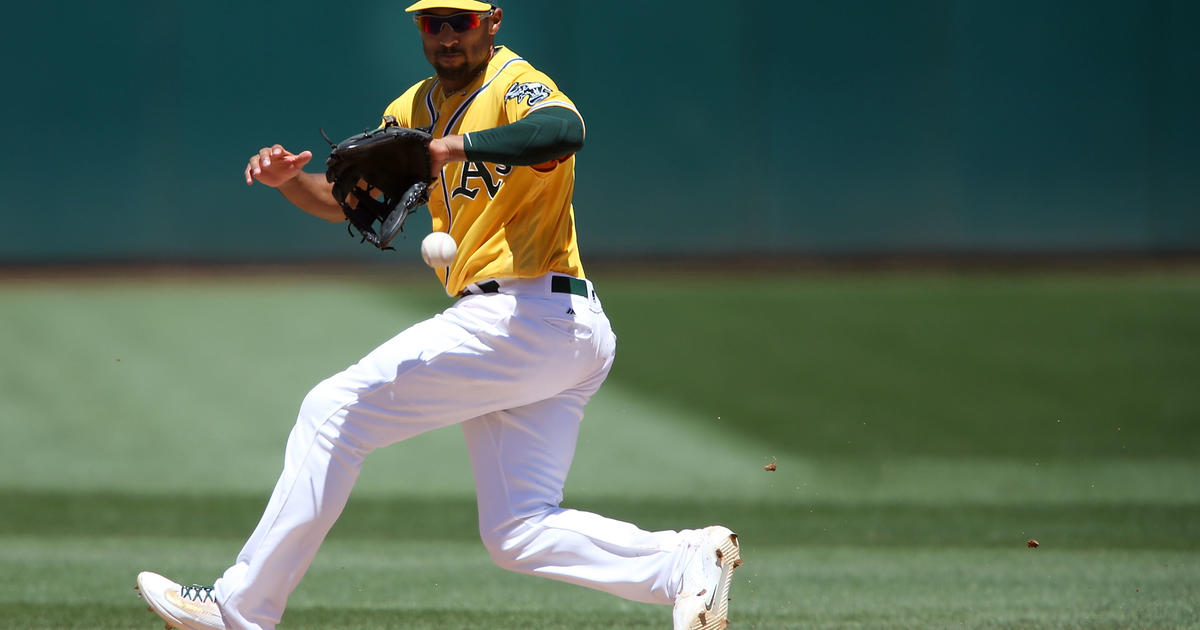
[1057, 525]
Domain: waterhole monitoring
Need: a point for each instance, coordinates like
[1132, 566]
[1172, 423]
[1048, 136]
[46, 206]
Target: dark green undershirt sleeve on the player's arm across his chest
[545, 135]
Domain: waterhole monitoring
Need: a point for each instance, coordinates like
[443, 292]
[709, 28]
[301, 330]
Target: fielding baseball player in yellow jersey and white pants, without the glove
[512, 362]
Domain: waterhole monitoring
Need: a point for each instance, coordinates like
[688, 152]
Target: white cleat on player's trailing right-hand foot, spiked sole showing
[704, 602]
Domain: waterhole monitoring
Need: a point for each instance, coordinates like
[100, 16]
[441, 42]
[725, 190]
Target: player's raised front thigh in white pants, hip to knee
[481, 357]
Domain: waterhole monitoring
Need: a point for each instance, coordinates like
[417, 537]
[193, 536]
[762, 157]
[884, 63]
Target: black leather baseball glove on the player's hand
[382, 177]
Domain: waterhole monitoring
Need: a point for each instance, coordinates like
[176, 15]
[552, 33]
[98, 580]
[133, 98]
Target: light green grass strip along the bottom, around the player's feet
[370, 585]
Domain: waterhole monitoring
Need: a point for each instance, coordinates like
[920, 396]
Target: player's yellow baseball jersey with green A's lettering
[509, 221]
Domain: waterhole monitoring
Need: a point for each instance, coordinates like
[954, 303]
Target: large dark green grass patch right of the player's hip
[925, 364]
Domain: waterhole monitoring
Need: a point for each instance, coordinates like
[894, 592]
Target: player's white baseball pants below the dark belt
[514, 369]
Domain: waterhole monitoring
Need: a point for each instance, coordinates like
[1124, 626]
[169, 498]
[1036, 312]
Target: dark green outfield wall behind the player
[806, 128]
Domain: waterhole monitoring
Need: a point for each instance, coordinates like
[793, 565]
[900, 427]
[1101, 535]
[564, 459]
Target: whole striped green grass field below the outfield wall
[925, 427]
